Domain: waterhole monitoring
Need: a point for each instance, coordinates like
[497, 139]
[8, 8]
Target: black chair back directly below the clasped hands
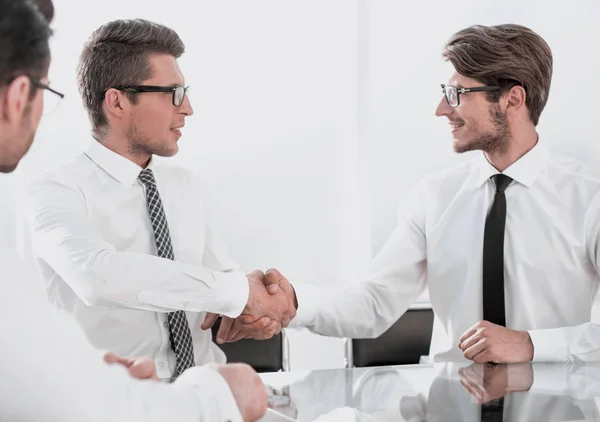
[263, 355]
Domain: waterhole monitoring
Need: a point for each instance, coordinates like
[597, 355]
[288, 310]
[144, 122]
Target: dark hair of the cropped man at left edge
[24, 34]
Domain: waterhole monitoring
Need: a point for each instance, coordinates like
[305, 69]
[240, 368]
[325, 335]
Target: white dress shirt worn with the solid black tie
[551, 257]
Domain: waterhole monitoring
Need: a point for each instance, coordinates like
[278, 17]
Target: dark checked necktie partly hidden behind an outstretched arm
[179, 329]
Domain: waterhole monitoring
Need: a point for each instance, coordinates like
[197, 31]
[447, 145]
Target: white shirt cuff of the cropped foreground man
[216, 400]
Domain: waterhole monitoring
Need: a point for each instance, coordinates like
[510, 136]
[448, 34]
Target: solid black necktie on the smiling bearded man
[493, 255]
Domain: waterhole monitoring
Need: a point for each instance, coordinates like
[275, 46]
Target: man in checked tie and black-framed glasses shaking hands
[126, 244]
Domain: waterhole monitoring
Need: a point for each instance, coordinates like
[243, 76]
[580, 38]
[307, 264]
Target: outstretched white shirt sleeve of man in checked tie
[67, 241]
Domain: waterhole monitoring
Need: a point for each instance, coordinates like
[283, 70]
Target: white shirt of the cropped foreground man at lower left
[50, 372]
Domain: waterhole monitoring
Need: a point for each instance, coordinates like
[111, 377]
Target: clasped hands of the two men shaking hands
[271, 306]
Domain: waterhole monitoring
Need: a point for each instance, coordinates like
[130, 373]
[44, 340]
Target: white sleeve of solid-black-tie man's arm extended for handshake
[369, 308]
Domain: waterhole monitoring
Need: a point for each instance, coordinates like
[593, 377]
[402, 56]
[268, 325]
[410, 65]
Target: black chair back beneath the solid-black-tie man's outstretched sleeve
[403, 344]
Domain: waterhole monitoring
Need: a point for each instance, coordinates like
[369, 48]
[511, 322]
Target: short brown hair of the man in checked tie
[118, 54]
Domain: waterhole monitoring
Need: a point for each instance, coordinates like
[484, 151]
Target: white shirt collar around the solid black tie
[524, 171]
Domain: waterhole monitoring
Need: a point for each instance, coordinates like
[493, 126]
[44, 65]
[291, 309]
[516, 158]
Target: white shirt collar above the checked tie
[117, 166]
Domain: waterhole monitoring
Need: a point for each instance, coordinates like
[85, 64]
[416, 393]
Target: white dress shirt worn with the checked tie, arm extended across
[94, 246]
